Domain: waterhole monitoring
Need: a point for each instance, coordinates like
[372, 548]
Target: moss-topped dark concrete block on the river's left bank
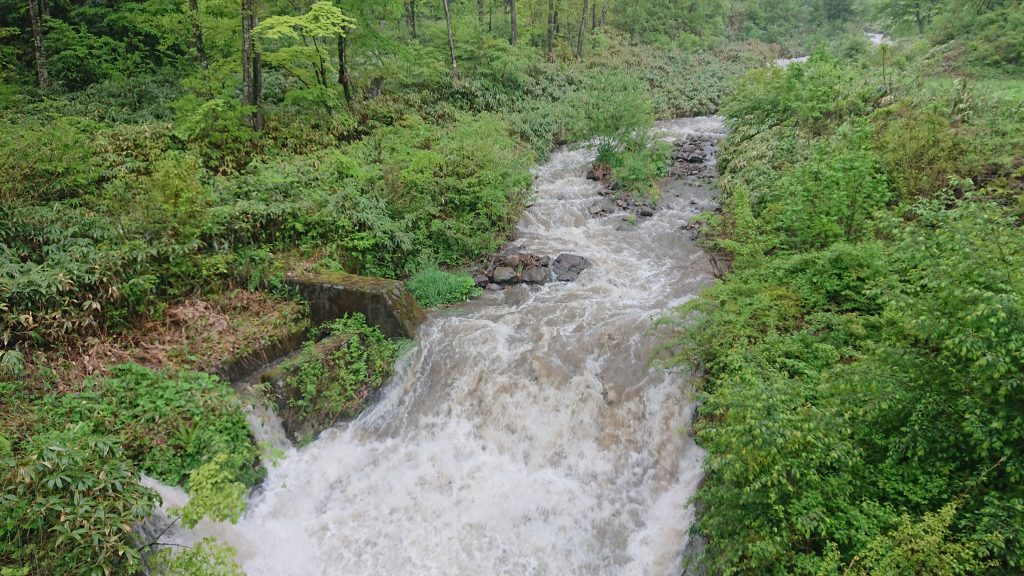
[387, 304]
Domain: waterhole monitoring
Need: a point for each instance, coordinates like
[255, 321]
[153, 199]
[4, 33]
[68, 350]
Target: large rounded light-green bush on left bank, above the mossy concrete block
[459, 190]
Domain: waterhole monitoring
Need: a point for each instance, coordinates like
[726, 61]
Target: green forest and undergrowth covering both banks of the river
[167, 164]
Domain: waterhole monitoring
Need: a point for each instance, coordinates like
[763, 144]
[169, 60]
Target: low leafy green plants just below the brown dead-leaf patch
[170, 425]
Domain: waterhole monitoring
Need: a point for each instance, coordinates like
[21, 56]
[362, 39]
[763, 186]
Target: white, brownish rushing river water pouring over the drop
[526, 434]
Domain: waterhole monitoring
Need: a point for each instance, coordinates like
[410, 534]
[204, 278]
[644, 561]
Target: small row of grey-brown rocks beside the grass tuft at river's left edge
[521, 268]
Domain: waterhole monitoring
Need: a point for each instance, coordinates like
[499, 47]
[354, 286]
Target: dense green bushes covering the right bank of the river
[863, 359]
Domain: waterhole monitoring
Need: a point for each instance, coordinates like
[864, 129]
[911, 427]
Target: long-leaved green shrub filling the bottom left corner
[70, 502]
